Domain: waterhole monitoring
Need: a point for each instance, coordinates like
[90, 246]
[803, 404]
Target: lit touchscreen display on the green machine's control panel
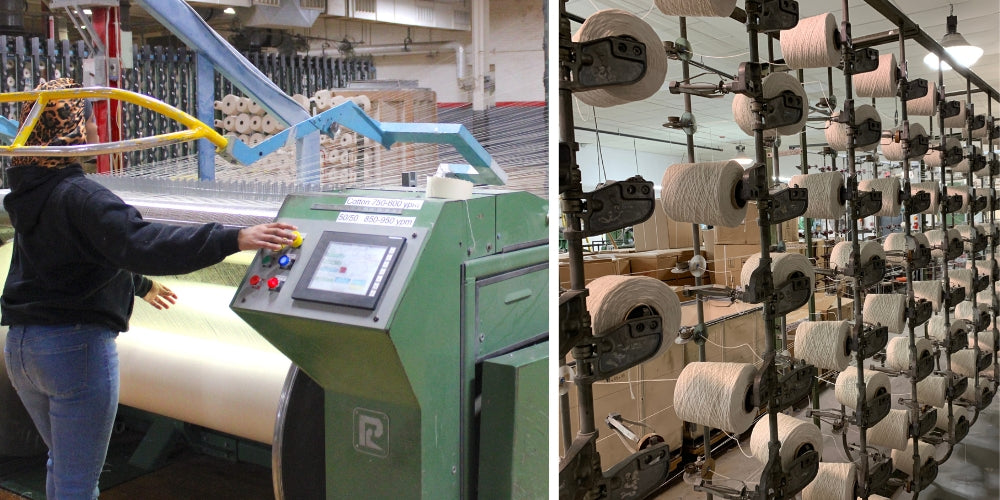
[348, 268]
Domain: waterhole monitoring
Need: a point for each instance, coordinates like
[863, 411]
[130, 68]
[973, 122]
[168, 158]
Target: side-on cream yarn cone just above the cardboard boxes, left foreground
[703, 193]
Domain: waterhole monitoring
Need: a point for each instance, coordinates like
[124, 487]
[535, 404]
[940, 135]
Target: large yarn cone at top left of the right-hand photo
[616, 22]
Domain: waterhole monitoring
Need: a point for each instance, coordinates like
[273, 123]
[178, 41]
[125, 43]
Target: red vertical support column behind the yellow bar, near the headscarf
[108, 112]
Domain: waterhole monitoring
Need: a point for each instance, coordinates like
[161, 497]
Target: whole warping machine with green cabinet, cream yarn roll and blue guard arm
[406, 336]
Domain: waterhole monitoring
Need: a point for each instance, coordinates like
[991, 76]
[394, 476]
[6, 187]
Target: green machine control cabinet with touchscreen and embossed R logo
[424, 323]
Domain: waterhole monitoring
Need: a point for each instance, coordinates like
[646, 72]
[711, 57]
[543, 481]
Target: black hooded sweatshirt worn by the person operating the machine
[78, 247]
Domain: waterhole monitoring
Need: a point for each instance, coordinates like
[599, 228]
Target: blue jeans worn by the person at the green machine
[67, 377]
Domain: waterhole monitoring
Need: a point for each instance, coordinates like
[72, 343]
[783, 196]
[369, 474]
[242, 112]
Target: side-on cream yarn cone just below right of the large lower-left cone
[717, 395]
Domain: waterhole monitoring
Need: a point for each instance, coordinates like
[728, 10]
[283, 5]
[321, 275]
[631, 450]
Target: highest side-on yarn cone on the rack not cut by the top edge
[812, 43]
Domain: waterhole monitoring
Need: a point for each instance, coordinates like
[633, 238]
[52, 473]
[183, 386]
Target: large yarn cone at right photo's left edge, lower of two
[612, 298]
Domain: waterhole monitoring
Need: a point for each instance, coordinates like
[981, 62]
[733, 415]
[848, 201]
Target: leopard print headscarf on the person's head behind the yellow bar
[61, 124]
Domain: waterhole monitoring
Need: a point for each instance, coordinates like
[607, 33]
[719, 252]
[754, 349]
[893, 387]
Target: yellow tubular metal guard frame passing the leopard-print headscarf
[196, 128]
